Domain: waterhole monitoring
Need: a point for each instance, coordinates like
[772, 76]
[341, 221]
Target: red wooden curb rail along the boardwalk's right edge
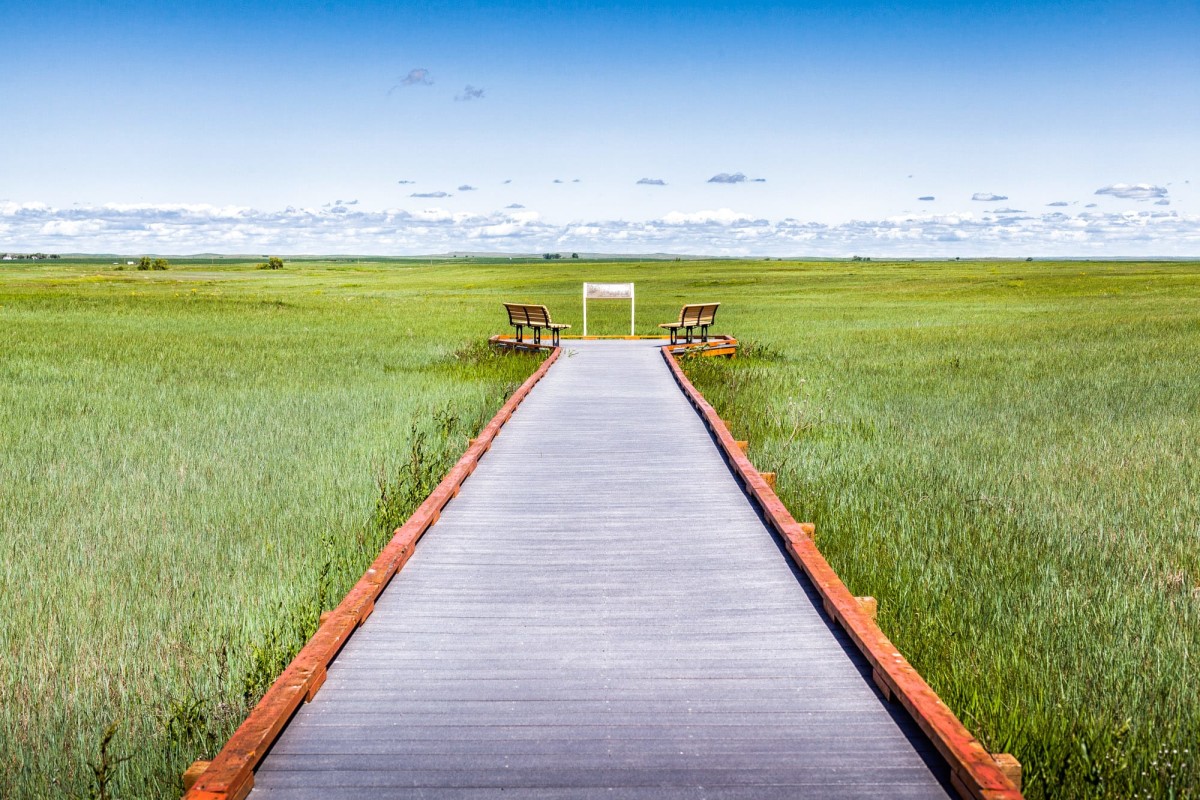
[974, 772]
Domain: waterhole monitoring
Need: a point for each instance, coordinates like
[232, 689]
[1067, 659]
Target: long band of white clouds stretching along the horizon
[183, 228]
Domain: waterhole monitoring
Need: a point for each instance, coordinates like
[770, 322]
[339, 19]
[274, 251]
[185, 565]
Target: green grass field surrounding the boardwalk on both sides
[1004, 454]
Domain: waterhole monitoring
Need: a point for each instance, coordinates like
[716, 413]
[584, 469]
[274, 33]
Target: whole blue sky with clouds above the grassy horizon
[238, 128]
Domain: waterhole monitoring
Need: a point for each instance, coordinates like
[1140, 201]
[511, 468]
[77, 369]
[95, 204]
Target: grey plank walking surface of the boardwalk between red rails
[599, 613]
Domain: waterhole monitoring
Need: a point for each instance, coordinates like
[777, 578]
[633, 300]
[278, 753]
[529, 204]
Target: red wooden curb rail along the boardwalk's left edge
[231, 775]
